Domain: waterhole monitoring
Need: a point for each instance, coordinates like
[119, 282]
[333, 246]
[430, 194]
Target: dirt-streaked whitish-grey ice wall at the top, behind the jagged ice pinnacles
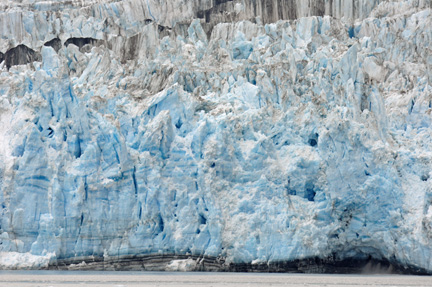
[32, 23]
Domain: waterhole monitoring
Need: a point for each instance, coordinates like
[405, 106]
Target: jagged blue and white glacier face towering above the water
[128, 132]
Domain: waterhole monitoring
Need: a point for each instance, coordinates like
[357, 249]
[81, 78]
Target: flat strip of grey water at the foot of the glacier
[124, 279]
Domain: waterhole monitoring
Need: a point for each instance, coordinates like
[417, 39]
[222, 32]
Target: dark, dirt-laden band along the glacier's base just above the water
[216, 264]
